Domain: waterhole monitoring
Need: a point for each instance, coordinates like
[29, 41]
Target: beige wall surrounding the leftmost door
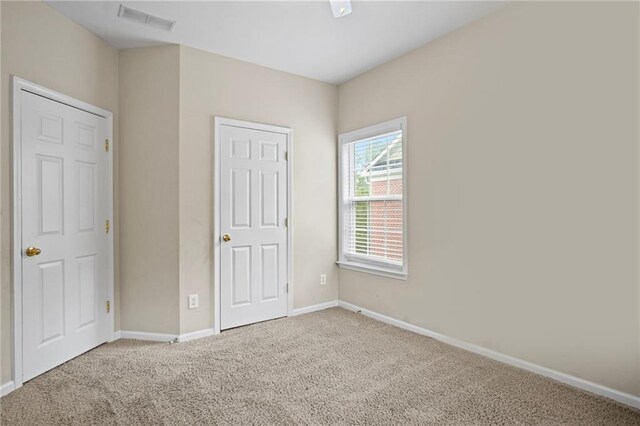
[42, 46]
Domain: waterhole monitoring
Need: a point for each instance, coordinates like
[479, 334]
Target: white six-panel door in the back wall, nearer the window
[253, 209]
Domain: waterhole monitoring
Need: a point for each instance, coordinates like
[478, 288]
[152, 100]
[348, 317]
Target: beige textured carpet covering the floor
[328, 367]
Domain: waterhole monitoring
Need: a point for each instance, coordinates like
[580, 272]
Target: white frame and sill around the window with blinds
[364, 264]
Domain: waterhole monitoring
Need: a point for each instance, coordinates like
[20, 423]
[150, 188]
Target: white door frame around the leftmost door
[17, 86]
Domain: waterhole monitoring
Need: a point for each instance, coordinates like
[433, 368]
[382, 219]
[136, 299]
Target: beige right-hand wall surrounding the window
[523, 186]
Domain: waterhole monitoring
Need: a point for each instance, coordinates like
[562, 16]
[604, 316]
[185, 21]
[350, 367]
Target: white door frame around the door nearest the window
[219, 122]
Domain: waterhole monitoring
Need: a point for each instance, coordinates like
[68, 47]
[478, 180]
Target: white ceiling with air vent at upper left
[300, 37]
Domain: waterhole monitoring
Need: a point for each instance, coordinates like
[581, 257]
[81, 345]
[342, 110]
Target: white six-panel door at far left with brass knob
[64, 206]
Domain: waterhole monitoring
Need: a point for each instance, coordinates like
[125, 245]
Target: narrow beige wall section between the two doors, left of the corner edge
[149, 136]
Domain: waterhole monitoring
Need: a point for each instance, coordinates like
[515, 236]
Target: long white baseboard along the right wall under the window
[616, 395]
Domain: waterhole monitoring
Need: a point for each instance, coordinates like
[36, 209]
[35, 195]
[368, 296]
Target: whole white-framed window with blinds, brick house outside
[373, 199]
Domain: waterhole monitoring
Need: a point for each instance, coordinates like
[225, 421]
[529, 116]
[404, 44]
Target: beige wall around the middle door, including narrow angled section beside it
[167, 173]
